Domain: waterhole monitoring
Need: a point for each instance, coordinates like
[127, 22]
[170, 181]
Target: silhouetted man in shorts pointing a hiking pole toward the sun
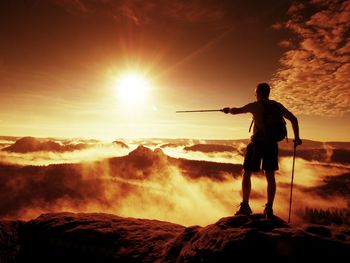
[260, 148]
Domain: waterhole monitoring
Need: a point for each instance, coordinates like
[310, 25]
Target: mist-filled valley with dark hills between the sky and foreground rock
[181, 181]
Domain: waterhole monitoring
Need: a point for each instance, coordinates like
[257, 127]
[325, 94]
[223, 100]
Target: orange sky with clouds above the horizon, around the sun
[59, 62]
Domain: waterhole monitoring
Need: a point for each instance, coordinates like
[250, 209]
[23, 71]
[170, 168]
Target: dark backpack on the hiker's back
[275, 129]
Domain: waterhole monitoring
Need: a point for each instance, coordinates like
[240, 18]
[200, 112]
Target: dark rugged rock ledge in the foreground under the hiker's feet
[69, 237]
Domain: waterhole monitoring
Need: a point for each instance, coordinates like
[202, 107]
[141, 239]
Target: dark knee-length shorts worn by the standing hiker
[258, 151]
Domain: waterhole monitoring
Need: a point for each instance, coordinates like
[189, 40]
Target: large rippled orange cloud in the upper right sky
[313, 77]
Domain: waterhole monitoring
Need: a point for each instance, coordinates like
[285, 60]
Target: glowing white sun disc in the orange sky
[133, 89]
